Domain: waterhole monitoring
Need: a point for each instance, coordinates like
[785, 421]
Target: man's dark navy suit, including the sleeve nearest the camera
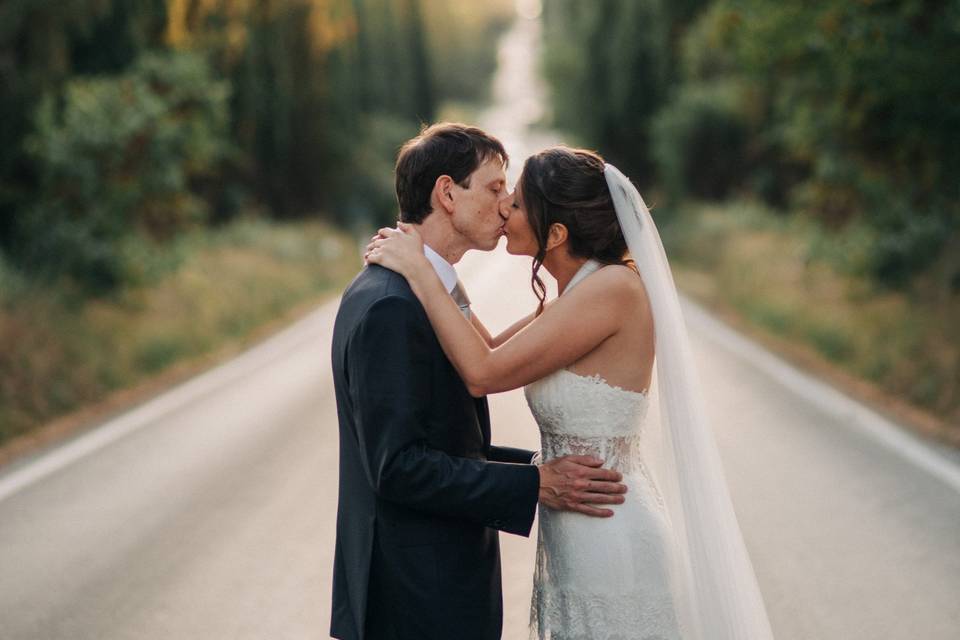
[422, 491]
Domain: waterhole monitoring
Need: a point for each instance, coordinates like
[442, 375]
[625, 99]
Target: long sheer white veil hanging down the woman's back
[715, 589]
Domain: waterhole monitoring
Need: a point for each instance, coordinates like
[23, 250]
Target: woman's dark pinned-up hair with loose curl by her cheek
[567, 186]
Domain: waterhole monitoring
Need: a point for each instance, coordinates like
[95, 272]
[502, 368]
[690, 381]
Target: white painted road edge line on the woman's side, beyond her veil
[845, 410]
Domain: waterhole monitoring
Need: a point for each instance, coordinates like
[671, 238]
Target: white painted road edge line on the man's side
[264, 353]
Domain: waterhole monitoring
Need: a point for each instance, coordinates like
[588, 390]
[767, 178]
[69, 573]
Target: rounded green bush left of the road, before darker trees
[115, 156]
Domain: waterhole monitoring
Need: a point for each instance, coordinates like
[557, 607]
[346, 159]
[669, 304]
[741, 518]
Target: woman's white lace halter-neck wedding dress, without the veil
[601, 578]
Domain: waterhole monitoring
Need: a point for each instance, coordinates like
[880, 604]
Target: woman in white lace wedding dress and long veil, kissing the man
[671, 564]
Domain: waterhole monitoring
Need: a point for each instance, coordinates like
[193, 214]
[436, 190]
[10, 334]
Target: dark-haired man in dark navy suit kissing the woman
[422, 491]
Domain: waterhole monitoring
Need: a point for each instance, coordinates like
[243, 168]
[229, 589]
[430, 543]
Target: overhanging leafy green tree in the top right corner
[855, 96]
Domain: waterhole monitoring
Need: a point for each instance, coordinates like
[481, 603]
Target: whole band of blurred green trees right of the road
[843, 111]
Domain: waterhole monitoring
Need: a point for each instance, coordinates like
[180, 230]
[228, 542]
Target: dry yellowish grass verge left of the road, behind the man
[60, 354]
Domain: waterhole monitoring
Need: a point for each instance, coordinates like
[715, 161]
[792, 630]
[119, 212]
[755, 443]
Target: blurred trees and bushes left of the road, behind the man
[126, 122]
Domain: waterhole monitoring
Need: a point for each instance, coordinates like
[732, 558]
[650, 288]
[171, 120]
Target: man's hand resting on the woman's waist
[575, 483]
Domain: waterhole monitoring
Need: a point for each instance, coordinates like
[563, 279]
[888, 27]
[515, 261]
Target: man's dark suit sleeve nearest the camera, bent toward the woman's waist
[388, 367]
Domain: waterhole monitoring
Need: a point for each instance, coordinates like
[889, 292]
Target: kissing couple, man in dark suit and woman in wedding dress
[623, 553]
